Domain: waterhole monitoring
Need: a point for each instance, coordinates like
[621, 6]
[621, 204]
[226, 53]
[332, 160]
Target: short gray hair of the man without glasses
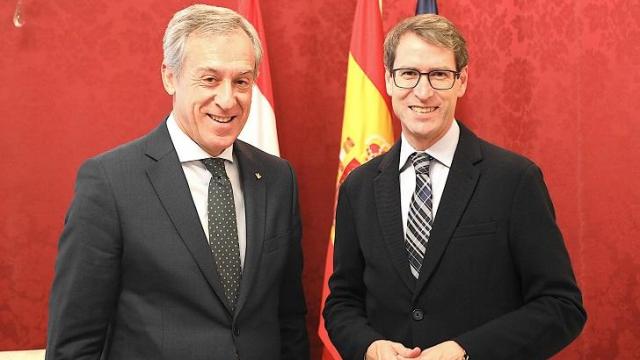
[204, 20]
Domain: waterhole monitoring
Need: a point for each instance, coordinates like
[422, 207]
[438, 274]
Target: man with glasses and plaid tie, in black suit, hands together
[446, 247]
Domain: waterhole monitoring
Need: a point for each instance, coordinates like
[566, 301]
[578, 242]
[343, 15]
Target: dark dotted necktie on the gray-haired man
[223, 229]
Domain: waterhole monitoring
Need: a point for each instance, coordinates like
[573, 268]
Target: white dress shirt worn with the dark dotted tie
[190, 154]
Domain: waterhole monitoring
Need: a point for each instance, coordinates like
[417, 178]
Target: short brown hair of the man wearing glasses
[435, 30]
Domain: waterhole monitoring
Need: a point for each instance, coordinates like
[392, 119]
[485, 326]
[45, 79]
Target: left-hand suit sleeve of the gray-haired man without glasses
[86, 281]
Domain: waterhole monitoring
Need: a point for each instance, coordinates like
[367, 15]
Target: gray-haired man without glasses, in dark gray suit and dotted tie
[185, 244]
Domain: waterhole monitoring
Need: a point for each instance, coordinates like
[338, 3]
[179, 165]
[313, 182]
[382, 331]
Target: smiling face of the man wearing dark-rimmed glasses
[425, 114]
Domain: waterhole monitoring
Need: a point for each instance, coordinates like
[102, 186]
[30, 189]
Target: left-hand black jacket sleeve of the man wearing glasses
[345, 312]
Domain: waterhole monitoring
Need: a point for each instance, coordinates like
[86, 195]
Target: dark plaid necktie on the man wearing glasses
[420, 217]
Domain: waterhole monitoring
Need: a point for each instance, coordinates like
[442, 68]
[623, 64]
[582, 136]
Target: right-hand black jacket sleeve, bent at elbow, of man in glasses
[552, 314]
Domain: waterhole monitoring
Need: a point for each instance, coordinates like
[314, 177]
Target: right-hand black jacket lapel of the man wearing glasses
[461, 183]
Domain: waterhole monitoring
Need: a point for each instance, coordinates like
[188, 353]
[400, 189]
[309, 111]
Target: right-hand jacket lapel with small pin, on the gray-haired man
[253, 187]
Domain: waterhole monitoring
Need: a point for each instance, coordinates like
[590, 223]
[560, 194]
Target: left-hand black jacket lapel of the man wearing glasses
[387, 199]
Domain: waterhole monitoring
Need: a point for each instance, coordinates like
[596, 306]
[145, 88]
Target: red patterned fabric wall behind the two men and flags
[555, 80]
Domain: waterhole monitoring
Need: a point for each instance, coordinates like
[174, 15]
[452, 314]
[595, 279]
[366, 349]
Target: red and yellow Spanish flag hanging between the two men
[366, 128]
